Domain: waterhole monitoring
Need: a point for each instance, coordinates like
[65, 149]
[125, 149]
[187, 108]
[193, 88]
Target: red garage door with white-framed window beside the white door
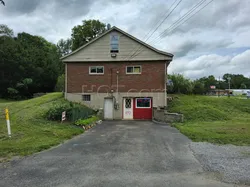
[142, 108]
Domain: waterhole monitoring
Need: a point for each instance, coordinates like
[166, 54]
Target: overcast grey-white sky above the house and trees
[214, 41]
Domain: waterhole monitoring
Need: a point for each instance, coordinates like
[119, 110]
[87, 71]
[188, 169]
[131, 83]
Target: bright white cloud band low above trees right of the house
[212, 65]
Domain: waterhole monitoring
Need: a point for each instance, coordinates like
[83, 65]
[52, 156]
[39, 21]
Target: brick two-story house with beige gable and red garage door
[118, 73]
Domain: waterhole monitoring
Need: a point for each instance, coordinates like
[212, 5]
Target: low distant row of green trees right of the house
[177, 83]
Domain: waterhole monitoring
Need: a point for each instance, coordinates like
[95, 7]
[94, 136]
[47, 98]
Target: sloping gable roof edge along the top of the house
[126, 34]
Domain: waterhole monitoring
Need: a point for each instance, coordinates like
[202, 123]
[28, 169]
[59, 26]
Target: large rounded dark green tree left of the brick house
[41, 61]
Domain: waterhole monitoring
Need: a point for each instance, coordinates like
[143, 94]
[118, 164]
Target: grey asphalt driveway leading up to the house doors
[115, 153]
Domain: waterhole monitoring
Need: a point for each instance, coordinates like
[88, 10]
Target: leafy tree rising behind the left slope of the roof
[82, 34]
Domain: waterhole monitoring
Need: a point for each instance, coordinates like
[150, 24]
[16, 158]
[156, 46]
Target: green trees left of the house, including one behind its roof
[30, 64]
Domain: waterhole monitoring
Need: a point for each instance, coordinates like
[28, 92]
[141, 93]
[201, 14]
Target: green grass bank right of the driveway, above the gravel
[220, 120]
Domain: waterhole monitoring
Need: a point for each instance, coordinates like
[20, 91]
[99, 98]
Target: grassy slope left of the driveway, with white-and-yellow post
[30, 131]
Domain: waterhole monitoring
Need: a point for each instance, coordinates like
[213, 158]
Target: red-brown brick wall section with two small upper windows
[150, 80]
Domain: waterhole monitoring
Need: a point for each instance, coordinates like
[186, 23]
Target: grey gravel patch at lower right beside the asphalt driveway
[230, 163]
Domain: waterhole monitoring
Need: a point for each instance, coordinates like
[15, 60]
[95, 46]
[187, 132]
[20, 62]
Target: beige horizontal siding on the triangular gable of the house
[100, 51]
